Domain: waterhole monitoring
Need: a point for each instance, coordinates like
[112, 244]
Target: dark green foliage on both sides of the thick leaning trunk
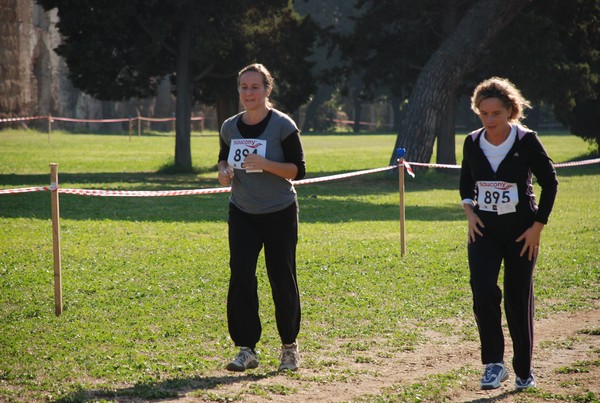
[562, 69]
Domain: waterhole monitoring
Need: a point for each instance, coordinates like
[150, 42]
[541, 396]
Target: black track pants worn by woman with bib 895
[485, 257]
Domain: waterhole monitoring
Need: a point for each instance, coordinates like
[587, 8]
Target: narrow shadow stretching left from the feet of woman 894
[163, 390]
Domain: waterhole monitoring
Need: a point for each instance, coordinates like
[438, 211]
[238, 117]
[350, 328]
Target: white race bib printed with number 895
[497, 196]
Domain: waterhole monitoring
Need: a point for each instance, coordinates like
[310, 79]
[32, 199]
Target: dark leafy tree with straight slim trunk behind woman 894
[117, 50]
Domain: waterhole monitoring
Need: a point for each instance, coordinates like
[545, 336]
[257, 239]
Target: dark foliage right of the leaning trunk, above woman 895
[563, 68]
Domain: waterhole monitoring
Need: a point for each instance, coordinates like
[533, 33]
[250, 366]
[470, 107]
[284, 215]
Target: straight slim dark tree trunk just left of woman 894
[183, 104]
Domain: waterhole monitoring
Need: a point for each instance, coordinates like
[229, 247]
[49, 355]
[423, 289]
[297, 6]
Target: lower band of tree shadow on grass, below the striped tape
[207, 208]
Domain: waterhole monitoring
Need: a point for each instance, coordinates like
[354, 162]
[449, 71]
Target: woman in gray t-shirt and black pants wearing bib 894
[260, 154]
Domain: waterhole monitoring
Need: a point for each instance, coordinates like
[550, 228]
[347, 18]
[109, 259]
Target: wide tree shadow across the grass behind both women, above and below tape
[348, 203]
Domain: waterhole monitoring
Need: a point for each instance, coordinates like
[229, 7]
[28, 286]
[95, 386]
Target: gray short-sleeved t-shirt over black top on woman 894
[262, 193]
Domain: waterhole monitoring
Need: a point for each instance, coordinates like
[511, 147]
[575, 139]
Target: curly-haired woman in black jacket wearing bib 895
[504, 223]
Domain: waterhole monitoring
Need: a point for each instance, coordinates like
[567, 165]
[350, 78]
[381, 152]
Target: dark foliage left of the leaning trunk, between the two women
[382, 48]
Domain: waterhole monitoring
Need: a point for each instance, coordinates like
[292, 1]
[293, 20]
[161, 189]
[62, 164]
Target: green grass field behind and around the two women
[145, 279]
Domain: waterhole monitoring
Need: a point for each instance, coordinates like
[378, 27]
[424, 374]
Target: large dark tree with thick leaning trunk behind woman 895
[548, 48]
